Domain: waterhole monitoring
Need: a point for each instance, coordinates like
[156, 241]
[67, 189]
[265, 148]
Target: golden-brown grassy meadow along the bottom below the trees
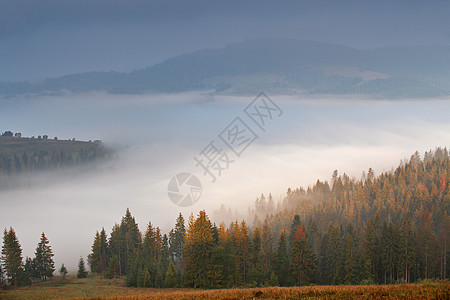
[99, 288]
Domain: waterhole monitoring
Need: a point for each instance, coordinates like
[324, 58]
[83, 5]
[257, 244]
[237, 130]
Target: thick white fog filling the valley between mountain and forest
[164, 132]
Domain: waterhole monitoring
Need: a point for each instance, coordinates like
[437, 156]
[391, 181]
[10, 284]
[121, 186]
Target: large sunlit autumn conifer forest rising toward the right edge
[385, 229]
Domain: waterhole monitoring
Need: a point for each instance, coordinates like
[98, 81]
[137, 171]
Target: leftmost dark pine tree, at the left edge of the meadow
[12, 257]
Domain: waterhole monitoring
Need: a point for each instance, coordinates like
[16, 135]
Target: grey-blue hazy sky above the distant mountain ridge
[46, 38]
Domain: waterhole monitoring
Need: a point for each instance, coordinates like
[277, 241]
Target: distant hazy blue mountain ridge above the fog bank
[279, 66]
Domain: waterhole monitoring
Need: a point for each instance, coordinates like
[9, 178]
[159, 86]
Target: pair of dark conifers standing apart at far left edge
[17, 272]
